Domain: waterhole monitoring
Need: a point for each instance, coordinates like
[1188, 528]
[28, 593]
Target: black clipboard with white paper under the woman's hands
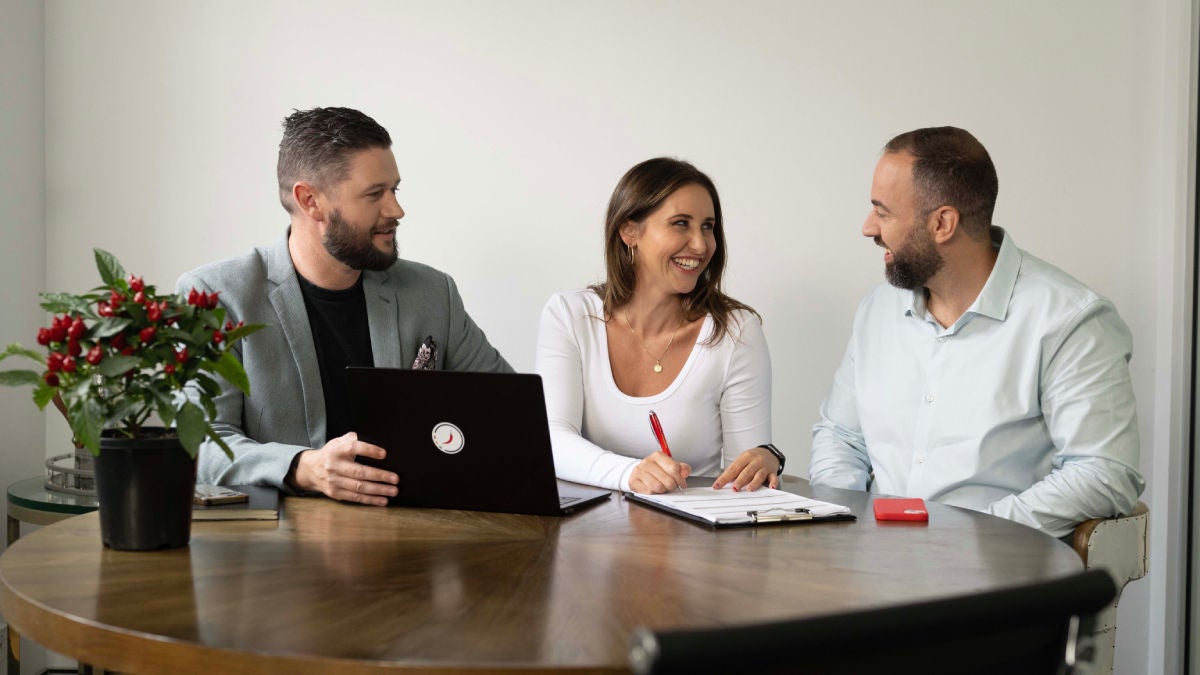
[727, 509]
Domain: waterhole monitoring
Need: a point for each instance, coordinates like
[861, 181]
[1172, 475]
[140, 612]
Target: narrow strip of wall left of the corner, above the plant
[22, 226]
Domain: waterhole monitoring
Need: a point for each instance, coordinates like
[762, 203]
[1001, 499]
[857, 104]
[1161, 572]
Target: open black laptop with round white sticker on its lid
[476, 441]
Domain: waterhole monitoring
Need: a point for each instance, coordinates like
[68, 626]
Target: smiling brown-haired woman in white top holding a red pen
[659, 336]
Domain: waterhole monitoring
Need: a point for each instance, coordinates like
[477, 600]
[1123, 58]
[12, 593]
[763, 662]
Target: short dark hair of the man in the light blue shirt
[952, 169]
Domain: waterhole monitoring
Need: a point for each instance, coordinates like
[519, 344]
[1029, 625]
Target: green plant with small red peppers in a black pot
[115, 359]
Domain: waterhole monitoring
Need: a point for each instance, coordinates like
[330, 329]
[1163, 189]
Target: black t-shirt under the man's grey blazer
[343, 338]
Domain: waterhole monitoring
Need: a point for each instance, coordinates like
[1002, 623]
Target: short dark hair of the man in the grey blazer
[317, 147]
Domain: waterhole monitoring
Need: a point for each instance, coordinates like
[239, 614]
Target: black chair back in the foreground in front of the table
[1027, 631]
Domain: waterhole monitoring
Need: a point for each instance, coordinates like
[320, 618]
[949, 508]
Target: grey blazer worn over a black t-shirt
[285, 414]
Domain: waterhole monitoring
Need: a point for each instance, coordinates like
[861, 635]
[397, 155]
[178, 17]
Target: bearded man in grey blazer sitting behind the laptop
[333, 294]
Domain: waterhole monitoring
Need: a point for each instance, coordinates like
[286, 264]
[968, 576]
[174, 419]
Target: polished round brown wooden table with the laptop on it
[334, 588]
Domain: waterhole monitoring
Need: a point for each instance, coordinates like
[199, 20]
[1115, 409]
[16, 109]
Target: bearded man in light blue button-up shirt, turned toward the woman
[981, 377]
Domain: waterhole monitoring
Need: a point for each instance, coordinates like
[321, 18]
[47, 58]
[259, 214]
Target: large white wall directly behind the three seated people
[513, 122]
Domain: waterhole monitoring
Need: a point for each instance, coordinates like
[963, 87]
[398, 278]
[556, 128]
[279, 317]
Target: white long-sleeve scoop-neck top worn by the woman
[718, 407]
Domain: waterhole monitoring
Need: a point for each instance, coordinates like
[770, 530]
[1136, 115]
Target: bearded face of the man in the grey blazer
[362, 226]
